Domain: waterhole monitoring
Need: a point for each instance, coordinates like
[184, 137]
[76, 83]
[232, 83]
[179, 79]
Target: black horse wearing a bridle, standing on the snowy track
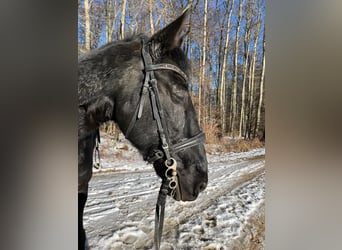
[141, 84]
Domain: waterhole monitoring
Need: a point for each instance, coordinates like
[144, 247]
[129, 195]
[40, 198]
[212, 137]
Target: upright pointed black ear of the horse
[171, 36]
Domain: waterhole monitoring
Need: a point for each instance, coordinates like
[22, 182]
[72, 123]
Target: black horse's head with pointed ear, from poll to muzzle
[178, 113]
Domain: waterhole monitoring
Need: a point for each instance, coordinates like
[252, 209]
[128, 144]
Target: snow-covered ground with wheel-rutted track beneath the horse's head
[229, 214]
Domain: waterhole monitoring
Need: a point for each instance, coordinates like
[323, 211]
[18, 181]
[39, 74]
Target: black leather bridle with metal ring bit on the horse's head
[171, 180]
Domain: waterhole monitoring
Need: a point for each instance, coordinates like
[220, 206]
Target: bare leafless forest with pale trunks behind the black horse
[225, 45]
